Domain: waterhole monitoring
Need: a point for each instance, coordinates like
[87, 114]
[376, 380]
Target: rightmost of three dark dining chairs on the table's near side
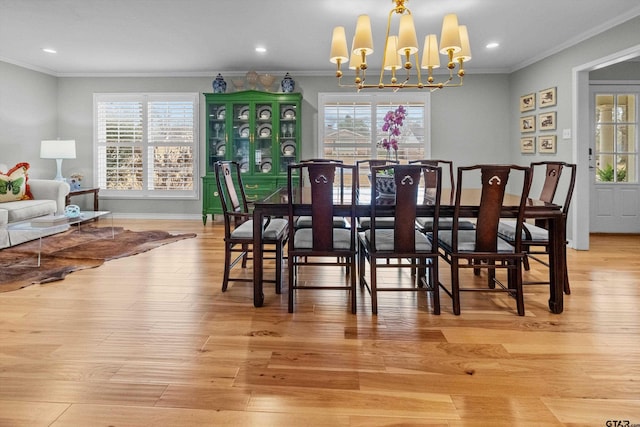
[482, 248]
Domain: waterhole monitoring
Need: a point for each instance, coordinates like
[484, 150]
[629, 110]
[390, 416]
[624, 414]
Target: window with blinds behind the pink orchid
[350, 125]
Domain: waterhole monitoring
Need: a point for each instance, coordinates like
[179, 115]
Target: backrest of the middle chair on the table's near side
[408, 179]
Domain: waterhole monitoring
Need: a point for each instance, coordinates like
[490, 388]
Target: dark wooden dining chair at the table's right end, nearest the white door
[535, 237]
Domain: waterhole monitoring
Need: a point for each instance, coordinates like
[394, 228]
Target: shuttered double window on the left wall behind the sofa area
[146, 145]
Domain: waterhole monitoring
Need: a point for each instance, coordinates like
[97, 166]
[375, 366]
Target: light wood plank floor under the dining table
[150, 340]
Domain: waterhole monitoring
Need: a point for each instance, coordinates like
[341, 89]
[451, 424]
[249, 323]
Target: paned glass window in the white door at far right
[616, 139]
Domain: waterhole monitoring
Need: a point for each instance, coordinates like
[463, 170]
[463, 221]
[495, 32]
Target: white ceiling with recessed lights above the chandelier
[204, 37]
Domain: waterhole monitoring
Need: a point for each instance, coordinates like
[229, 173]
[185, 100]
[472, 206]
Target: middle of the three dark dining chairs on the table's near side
[402, 246]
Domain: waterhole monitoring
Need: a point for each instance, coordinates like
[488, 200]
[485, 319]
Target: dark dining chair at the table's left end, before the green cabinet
[238, 226]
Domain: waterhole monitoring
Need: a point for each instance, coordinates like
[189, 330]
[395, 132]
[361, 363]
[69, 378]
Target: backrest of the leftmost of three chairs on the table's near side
[324, 198]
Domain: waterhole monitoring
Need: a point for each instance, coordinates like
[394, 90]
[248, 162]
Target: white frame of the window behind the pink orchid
[376, 100]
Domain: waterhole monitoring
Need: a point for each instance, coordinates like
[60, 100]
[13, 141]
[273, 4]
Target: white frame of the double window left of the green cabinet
[145, 99]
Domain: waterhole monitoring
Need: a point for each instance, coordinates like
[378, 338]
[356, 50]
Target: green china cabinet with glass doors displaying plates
[260, 131]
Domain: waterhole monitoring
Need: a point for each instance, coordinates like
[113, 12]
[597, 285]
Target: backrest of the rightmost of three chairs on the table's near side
[494, 179]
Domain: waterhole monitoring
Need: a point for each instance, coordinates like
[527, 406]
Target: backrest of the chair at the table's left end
[228, 175]
